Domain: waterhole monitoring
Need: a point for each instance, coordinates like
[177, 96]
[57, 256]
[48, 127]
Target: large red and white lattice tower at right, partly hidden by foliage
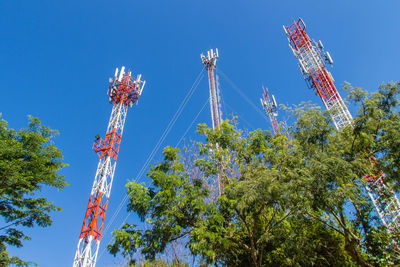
[312, 62]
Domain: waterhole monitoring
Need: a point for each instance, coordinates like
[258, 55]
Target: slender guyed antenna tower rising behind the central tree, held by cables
[209, 62]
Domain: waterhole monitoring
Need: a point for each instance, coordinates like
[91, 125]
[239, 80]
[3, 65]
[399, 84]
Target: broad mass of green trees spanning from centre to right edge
[287, 200]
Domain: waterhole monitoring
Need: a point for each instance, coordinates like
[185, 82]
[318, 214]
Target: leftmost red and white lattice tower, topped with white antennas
[123, 92]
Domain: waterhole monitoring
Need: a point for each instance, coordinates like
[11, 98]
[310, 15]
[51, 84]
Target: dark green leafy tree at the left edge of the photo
[29, 160]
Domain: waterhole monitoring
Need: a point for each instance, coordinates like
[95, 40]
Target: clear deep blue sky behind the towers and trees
[56, 57]
